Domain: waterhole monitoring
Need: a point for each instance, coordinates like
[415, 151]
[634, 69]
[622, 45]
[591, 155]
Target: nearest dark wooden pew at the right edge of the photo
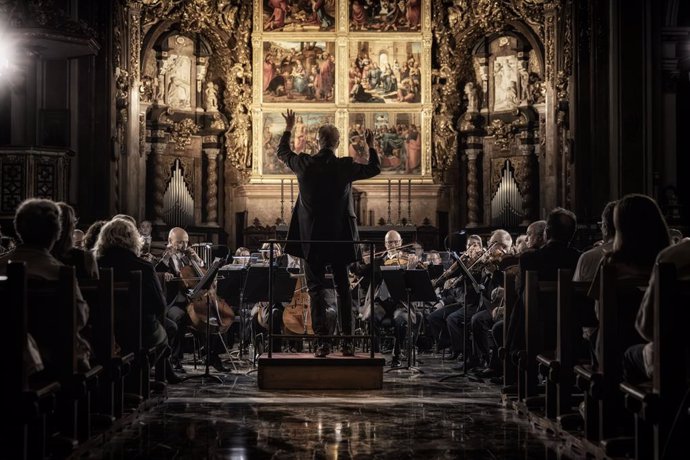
[656, 404]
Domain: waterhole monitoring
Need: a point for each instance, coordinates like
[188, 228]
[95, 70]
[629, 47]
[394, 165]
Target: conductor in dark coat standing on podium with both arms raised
[324, 211]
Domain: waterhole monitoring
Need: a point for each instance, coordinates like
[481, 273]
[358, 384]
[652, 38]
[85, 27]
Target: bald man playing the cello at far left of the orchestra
[178, 255]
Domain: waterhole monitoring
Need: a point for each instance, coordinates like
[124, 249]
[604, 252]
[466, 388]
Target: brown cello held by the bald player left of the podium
[203, 297]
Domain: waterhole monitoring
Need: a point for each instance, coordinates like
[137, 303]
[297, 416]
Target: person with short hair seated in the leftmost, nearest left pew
[37, 223]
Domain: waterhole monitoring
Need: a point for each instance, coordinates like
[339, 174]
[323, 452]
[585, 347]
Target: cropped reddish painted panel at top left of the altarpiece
[299, 15]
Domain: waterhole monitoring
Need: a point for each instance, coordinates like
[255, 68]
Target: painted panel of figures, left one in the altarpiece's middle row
[299, 71]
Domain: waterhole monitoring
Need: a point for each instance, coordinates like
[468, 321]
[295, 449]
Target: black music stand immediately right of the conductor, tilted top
[414, 286]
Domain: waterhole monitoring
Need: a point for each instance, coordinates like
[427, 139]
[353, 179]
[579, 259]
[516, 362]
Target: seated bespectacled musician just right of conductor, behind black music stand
[389, 312]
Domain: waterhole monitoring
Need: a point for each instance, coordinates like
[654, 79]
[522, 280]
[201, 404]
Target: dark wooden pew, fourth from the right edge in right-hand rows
[539, 319]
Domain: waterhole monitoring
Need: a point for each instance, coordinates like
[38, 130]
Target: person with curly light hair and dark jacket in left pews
[119, 247]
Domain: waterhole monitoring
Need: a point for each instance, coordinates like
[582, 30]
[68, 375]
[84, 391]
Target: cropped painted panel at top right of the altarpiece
[385, 15]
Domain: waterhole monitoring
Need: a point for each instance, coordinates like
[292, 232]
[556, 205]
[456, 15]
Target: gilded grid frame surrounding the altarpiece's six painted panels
[341, 108]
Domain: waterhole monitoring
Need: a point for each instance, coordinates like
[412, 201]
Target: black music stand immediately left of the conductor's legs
[256, 289]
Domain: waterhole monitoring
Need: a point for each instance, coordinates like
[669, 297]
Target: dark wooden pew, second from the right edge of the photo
[619, 300]
